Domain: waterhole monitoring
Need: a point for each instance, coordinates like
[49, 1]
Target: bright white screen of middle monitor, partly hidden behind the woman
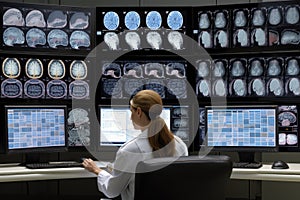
[116, 127]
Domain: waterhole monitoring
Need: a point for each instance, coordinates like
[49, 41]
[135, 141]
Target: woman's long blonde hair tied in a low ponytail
[159, 135]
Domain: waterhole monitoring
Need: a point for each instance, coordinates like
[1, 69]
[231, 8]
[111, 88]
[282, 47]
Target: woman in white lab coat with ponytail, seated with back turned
[155, 140]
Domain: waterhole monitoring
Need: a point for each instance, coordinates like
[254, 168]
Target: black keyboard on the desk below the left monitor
[53, 165]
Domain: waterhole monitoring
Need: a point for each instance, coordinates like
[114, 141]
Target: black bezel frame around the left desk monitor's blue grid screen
[49, 149]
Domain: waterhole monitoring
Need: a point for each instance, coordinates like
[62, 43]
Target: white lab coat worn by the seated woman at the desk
[121, 179]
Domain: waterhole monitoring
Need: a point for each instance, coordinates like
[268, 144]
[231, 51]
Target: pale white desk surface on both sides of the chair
[13, 173]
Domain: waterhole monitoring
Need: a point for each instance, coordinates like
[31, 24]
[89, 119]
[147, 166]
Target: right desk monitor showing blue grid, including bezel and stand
[243, 129]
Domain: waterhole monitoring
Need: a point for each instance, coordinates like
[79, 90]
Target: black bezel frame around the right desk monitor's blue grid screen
[243, 148]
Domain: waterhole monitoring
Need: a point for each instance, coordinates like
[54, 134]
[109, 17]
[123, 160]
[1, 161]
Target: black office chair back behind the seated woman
[190, 177]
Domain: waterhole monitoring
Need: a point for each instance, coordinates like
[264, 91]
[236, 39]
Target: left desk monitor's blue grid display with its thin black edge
[34, 128]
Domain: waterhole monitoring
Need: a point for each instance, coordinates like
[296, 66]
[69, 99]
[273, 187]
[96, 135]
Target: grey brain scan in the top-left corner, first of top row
[13, 17]
